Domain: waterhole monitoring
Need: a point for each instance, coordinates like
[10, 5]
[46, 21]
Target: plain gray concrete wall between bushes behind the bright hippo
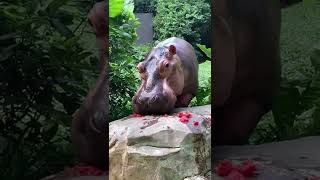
[145, 30]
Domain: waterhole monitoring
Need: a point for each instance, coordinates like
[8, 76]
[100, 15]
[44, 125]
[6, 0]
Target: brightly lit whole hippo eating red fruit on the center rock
[169, 78]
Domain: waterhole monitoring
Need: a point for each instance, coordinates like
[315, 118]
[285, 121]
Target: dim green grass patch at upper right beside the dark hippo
[296, 43]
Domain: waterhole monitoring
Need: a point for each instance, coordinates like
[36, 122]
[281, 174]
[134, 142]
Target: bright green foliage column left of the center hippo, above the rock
[123, 58]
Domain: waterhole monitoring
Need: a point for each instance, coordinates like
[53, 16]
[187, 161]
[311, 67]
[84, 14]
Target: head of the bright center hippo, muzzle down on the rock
[162, 80]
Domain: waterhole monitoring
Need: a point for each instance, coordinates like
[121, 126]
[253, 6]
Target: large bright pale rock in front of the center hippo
[160, 147]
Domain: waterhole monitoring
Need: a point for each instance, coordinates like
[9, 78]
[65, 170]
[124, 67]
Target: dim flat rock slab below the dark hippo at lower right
[293, 159]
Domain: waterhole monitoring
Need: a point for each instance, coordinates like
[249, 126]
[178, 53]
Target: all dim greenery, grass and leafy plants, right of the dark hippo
[296, 109]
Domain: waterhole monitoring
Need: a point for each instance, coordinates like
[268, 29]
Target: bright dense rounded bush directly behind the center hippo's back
[186, 19]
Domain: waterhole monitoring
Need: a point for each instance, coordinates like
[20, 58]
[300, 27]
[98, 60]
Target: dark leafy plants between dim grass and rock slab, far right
[296, 111]
